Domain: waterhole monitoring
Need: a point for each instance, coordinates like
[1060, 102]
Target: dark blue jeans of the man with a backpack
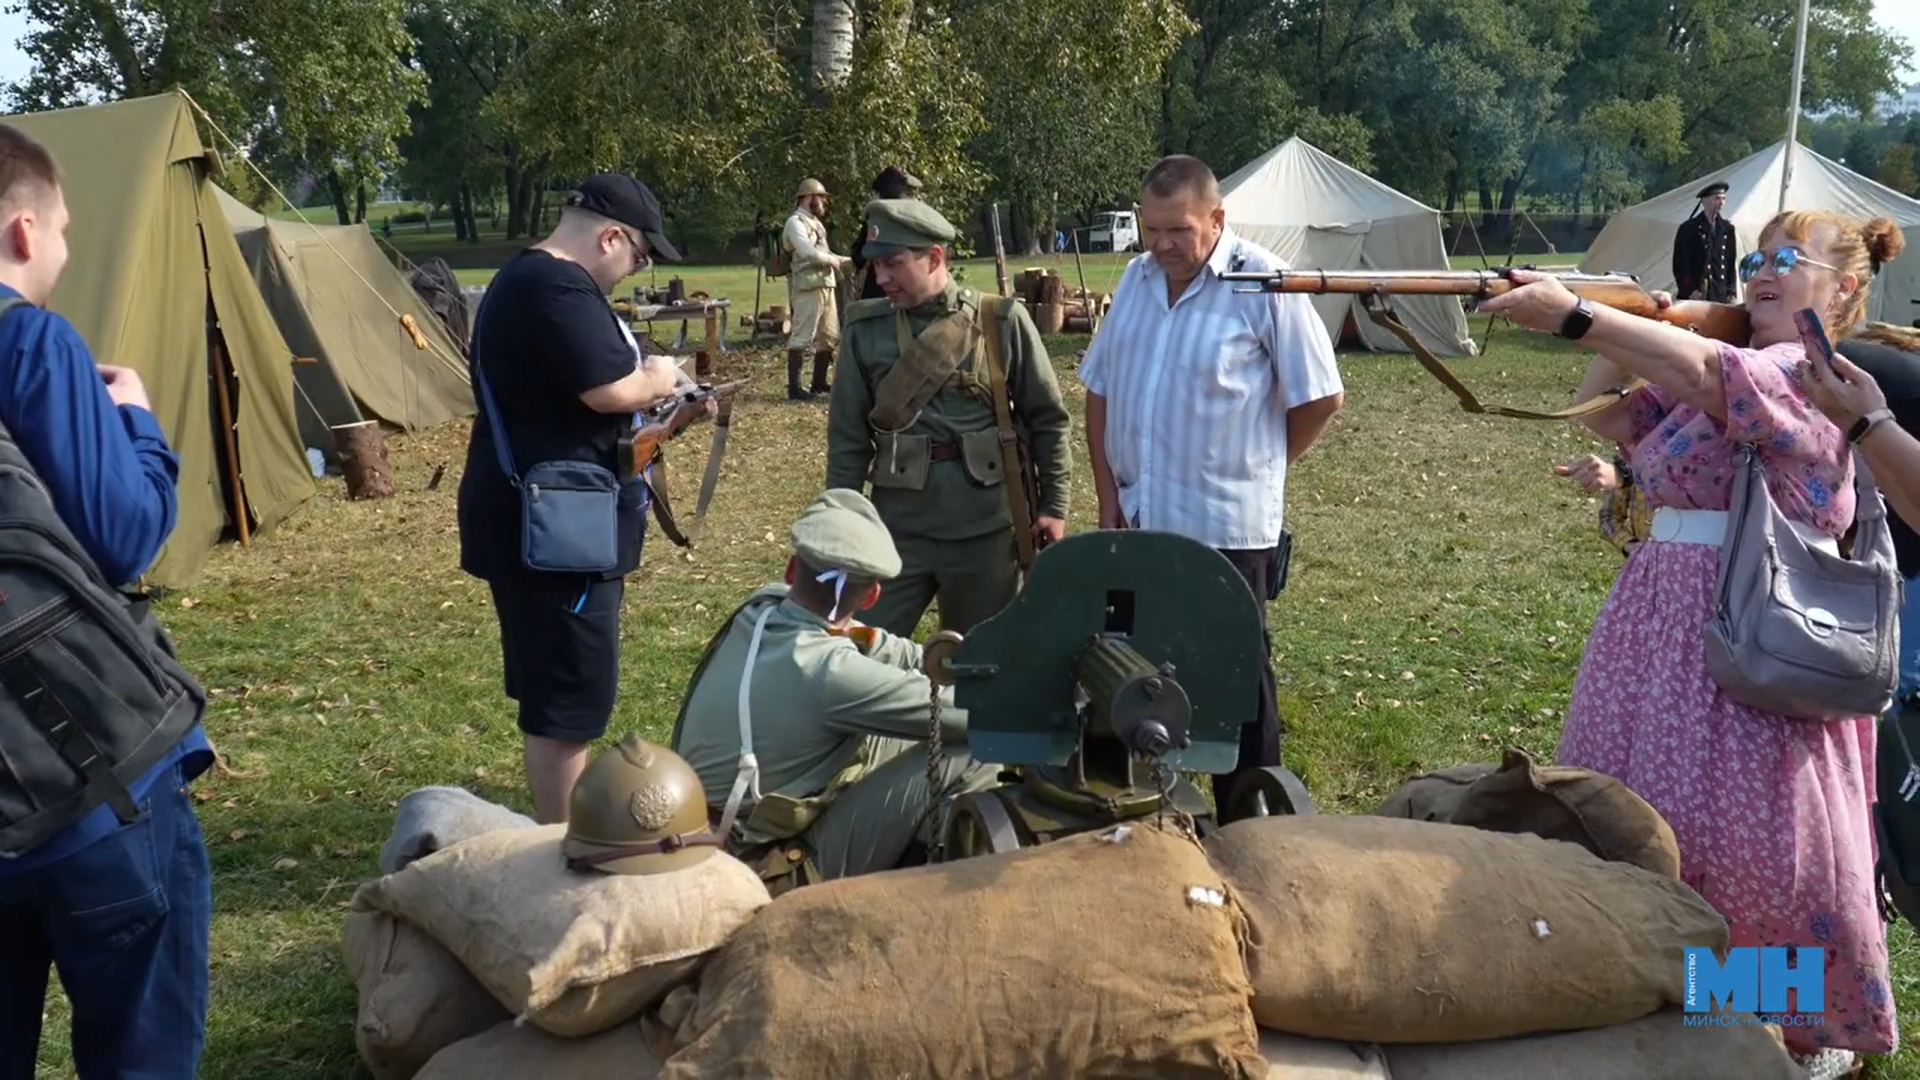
[126, 923]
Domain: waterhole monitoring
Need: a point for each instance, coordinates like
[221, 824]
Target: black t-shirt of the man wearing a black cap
[544, 335]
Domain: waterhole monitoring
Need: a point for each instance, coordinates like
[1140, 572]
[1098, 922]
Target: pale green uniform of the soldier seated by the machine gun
[838, 729]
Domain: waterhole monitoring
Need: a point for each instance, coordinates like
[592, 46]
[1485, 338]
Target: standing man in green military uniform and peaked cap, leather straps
[948, 405]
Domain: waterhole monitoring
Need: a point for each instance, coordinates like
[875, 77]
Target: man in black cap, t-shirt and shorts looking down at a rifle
[562, 378]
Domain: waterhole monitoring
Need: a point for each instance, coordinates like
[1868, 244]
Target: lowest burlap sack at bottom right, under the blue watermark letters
[1650, 1048]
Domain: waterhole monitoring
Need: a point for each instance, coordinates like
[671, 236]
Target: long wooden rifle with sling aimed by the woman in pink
[1623, 293]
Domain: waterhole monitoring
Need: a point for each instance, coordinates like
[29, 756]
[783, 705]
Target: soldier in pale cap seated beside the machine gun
[823, 718]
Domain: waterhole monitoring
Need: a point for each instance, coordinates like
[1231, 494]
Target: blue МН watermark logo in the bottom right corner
[1754, 983]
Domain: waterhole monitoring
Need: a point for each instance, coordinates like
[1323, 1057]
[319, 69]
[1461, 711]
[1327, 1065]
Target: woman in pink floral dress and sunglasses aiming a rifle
[1773, 814]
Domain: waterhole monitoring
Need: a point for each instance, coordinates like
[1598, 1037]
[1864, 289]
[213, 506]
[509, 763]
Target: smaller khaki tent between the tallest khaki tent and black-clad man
[339, 303]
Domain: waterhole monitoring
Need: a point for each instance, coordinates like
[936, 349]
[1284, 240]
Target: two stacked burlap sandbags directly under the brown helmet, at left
[498, 918]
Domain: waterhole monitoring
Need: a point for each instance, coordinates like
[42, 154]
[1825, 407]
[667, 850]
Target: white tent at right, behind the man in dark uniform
[1641, 239]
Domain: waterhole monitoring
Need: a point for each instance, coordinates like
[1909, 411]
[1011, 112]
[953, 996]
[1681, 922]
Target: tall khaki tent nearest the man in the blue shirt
[155, 282]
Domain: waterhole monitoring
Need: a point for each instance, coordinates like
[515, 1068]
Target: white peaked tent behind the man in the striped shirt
[1318, 212]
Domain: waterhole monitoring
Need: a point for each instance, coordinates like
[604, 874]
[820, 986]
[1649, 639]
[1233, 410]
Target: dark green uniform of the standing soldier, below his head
[940, 485]
